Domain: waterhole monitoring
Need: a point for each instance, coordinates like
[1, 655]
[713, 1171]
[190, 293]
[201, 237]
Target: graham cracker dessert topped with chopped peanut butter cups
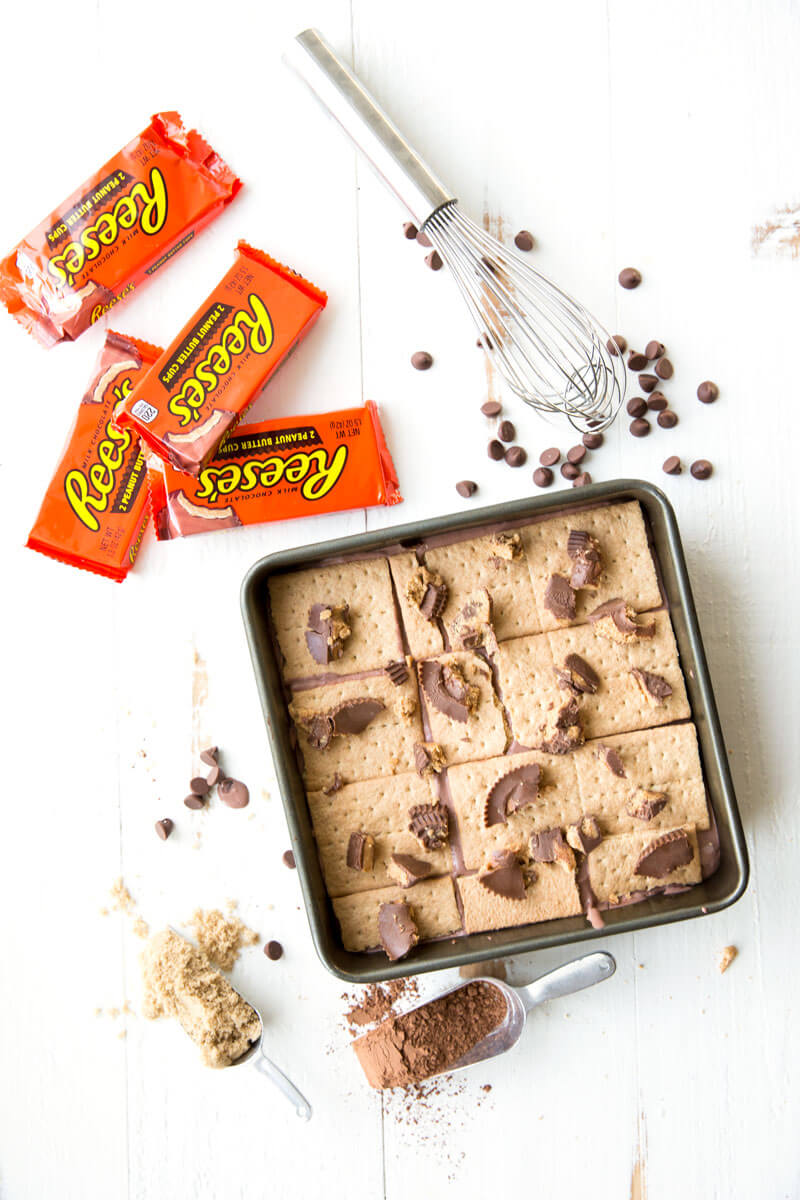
[494, 730]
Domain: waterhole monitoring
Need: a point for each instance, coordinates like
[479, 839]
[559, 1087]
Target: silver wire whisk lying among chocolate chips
[549, 349]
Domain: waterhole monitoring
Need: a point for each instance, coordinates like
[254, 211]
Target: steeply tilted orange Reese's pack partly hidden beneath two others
[97, 508]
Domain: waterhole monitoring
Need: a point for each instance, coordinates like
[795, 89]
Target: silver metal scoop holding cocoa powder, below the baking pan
[564, 981]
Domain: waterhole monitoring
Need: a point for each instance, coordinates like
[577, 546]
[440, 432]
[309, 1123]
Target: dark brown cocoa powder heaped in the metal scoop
[407, 1049]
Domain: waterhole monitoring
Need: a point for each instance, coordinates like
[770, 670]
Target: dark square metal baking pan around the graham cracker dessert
[713, 895]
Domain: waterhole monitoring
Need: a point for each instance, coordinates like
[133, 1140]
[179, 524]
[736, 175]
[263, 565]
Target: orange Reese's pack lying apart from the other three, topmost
[121, 227]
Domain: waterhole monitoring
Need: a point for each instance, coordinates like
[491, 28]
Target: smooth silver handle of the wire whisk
[352, 106]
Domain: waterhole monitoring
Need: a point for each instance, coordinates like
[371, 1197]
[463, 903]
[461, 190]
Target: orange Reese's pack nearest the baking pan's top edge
[292, 467]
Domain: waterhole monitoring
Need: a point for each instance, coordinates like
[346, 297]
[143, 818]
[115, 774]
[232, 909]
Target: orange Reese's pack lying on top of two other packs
[221, 361]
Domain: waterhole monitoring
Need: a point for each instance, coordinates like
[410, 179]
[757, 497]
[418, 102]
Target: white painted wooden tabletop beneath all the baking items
[619, 134]
